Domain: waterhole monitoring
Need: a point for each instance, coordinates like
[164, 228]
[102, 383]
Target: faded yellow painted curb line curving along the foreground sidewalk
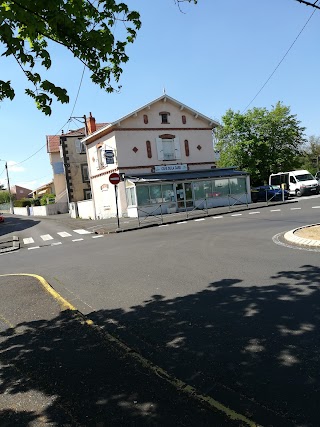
[175, 382]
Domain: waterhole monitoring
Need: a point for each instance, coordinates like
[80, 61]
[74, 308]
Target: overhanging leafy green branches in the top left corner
[84, 27]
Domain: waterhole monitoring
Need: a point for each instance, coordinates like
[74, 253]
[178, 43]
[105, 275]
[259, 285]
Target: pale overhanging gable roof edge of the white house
[164, 98]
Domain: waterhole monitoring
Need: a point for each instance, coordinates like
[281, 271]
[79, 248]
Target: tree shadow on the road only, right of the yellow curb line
[255, 348]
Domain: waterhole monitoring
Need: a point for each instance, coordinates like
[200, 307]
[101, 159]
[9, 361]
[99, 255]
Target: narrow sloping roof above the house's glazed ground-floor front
[185, 176]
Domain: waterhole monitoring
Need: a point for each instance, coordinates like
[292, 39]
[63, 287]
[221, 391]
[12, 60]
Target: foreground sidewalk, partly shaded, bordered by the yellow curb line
[56, 368]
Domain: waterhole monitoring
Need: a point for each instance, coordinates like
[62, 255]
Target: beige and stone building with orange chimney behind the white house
[69, 163]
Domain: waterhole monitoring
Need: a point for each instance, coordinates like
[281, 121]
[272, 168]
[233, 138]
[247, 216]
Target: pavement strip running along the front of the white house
[106, 226]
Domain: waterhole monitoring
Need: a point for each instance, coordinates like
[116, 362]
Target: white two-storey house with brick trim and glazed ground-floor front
[164, 154]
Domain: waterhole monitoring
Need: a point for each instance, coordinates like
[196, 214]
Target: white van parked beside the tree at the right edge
[299, 182]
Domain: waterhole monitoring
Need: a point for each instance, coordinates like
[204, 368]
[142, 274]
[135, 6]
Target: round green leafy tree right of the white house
[260, 141]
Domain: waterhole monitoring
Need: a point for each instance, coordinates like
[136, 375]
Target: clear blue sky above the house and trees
[211, 56]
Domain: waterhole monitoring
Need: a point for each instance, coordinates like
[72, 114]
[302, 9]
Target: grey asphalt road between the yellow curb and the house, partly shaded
[218, 303]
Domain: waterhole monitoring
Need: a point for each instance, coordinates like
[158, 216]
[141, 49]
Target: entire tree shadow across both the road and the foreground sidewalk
[254, 348]
